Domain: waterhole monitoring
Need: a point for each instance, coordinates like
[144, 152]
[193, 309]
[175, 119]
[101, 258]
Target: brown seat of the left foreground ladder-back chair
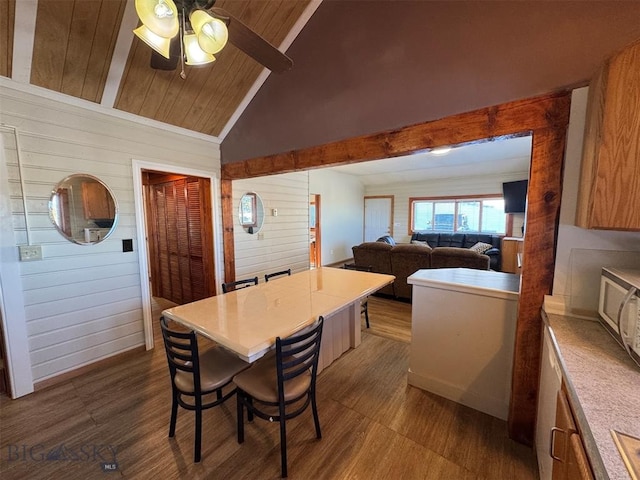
[217, 368]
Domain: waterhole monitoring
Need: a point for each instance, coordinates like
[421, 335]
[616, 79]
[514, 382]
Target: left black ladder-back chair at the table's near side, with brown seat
[195, 376]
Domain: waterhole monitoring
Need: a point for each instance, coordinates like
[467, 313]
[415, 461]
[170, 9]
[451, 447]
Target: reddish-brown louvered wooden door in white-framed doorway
[180, 237]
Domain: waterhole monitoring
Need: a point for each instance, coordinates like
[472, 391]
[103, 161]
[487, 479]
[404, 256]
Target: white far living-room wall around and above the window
[472, 185]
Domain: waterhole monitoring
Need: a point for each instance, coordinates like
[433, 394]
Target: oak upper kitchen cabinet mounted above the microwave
[609, 195]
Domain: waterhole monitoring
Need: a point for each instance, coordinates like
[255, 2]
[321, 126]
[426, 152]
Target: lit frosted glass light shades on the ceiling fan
[160, 23]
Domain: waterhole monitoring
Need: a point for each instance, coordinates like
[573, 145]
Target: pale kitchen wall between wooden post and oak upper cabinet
[581, 253]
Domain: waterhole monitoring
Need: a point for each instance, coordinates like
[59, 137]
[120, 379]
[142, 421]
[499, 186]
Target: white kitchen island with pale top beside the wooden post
[463, 334]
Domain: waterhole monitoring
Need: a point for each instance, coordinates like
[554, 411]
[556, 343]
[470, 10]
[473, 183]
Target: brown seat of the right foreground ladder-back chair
[261, 382]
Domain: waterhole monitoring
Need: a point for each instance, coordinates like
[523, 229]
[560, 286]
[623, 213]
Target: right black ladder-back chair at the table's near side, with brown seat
[270, 388]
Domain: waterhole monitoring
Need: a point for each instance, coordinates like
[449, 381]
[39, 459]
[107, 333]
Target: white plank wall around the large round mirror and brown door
[81, 303]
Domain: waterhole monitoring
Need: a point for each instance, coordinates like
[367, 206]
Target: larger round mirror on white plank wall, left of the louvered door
[55, 213]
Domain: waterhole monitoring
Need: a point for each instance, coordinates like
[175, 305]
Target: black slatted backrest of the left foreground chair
[182, 353]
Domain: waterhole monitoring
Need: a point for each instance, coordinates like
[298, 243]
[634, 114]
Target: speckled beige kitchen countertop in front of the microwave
[604, 389]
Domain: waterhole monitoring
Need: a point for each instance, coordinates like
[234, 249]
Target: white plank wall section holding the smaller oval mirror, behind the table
[283, 241]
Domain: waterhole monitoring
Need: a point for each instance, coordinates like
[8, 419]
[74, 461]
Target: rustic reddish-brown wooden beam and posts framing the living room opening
[545, 118]
